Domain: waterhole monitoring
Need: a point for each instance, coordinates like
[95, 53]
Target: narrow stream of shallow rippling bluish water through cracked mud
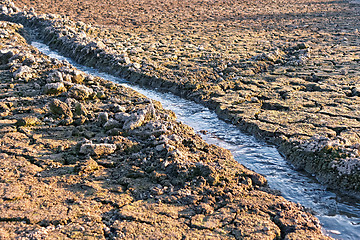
[339, 215]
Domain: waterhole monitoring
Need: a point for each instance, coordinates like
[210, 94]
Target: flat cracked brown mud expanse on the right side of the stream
[287, 71]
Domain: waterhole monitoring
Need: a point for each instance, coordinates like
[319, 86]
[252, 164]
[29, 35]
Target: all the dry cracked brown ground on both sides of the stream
[84, 158]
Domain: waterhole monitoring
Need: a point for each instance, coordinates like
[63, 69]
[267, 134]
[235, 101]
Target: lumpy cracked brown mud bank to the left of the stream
[84, 158]
